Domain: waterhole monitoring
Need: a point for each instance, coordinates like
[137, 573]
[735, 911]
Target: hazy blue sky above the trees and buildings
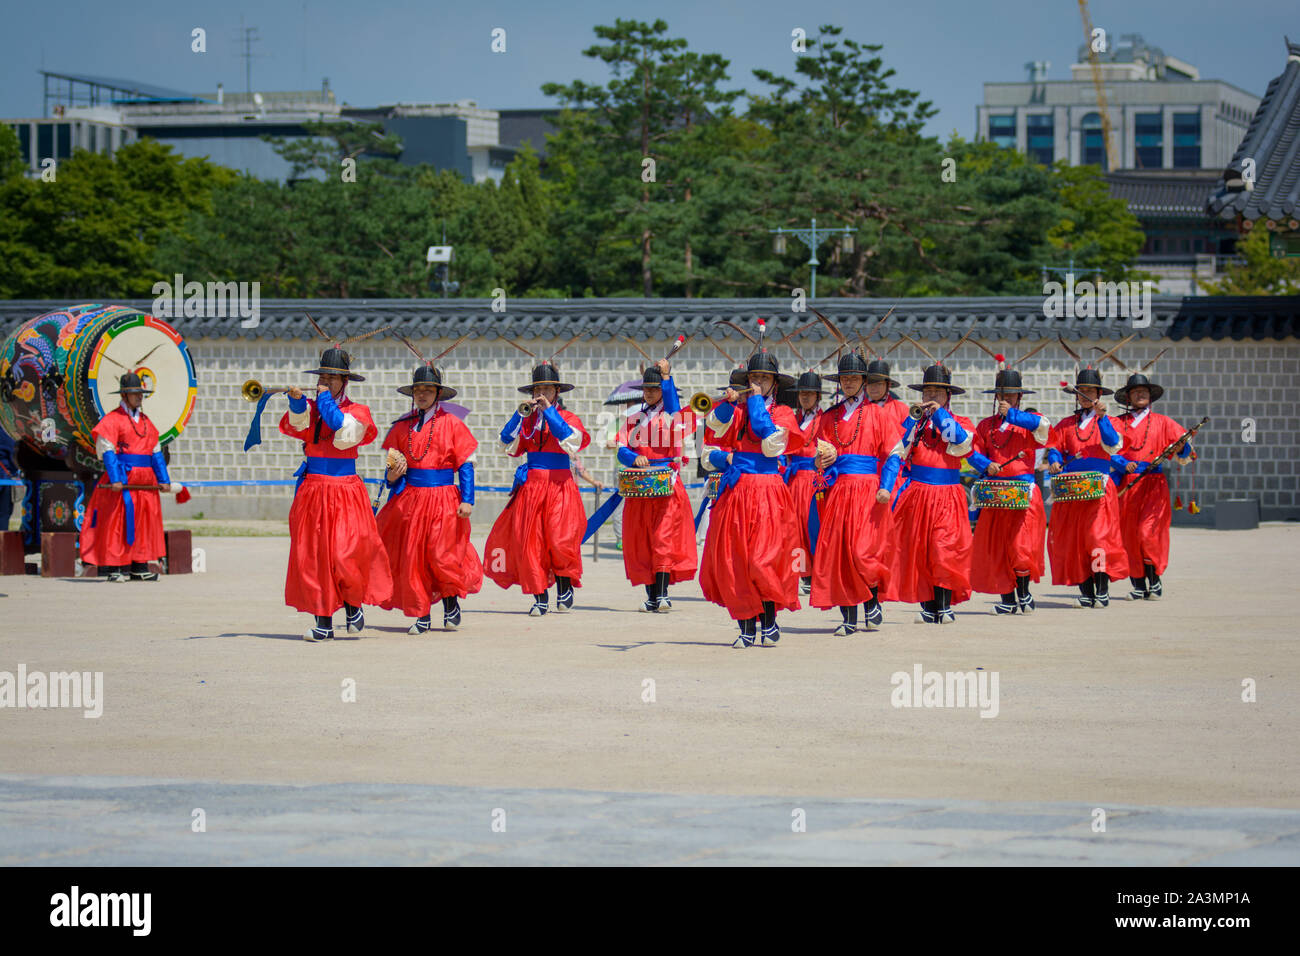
[383, 51]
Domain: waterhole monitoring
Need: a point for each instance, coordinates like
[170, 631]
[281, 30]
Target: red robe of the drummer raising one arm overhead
[658, 534]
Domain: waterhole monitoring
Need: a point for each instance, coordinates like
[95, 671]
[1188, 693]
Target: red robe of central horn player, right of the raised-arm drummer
[752, 553]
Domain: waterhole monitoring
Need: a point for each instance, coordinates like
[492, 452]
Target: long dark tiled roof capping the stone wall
[996, 318]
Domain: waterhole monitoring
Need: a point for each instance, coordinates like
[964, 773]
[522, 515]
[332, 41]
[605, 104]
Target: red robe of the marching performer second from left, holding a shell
[428, 546]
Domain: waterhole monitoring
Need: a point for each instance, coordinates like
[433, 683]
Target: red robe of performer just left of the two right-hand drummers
[931, 540]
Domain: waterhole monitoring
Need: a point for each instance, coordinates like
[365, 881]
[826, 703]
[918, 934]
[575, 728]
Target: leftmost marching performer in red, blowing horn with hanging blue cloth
[336, 559]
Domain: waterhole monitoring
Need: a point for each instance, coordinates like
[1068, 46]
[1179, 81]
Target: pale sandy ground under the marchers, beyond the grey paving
[206, 678]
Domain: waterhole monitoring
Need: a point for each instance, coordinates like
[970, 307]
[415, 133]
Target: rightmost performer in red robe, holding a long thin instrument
[1145, 513]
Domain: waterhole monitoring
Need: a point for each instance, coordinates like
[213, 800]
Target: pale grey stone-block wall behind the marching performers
[1236, 383]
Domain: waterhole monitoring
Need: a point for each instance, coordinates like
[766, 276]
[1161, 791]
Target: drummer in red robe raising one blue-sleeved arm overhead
[658, 534]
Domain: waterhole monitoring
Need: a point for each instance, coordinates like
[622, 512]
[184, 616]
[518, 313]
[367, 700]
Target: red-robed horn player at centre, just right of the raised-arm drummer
[749, 564]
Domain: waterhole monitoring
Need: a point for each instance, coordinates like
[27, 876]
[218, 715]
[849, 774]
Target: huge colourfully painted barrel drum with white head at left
[59, 374]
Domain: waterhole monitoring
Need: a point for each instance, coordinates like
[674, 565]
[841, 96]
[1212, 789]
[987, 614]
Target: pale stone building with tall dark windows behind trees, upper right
[1163, 114]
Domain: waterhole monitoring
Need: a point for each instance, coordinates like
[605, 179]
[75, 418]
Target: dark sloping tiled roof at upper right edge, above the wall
[1273, 142]
